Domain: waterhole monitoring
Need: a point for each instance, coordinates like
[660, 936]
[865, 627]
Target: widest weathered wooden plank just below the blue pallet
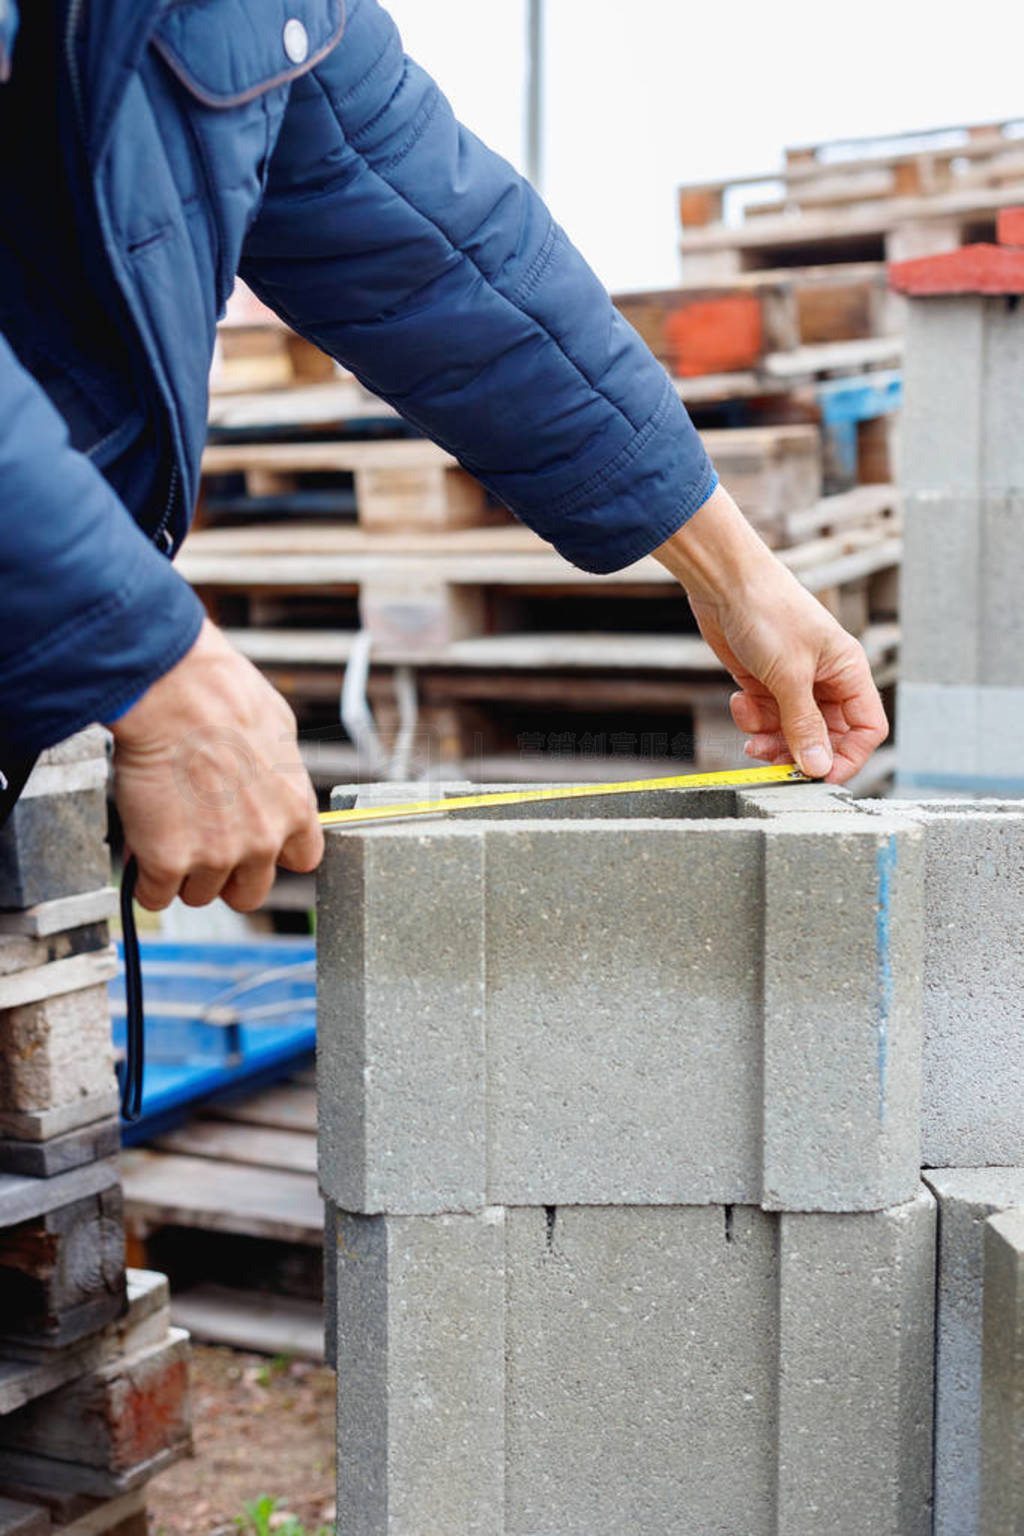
[167, 1190]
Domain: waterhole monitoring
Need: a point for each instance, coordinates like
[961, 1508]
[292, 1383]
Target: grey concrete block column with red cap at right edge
[962, 692]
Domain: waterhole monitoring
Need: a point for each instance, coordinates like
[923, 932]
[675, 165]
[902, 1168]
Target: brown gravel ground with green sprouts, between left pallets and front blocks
[262, 1428]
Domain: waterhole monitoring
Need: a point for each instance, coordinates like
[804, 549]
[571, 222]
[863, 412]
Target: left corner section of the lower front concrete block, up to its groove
[421, 1368]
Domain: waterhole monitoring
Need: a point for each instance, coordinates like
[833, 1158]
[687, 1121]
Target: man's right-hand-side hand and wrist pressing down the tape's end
[807, 694]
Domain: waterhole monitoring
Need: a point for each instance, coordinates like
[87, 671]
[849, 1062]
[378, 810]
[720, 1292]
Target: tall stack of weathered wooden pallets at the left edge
[93, 1377]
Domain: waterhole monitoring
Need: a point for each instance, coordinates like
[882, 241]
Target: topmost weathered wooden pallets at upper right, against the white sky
[856, 200]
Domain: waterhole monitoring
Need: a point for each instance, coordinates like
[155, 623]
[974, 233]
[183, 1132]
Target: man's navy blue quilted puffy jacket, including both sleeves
[292, 142]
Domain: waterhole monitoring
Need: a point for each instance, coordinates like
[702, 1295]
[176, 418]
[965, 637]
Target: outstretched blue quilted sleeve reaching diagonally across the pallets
[423, 262]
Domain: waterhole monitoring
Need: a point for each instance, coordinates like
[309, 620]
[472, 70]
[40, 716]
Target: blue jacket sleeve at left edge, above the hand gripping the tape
[91, 612]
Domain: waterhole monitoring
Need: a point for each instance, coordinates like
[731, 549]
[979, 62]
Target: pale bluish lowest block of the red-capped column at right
[960, 740]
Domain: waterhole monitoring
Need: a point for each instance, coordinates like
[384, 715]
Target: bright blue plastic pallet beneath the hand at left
[219, 1019]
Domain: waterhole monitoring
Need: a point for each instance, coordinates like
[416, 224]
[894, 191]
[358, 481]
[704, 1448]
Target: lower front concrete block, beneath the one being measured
[669, 1371]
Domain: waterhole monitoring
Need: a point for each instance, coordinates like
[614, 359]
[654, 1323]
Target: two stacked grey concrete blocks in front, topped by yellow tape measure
[621, 1133]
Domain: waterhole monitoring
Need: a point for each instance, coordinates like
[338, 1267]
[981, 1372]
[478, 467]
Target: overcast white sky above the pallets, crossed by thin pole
[644, 94]
